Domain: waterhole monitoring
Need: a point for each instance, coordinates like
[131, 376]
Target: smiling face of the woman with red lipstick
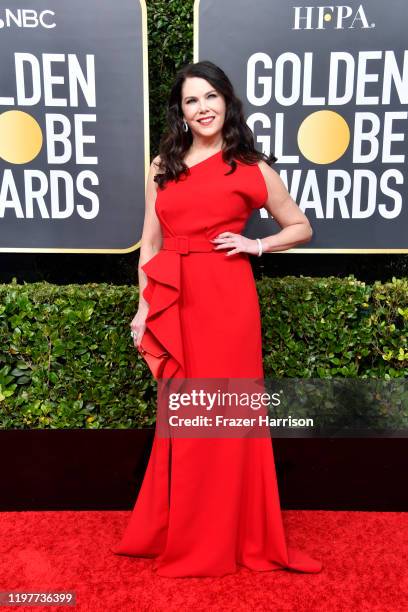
[200, 100]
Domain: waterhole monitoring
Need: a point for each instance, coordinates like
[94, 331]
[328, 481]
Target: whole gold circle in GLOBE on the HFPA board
[323, 137]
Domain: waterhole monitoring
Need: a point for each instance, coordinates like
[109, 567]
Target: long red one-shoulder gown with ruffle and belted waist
[209, 505]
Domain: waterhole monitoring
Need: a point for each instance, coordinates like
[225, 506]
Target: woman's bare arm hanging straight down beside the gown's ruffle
[150, 244]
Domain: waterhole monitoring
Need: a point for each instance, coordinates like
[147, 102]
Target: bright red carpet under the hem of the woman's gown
[365, 557]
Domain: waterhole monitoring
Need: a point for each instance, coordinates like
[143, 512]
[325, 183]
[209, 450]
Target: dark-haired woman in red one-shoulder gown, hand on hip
[208, 505]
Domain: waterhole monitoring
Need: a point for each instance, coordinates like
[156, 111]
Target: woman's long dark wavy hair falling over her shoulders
[175, 142]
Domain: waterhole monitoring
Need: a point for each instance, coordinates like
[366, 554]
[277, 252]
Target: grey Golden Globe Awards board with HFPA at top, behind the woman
[325, 88]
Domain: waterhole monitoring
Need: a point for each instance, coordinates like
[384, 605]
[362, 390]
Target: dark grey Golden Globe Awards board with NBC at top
[73, 137]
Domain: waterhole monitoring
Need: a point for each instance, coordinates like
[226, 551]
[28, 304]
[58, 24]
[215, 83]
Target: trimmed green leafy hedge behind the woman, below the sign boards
[67, 359]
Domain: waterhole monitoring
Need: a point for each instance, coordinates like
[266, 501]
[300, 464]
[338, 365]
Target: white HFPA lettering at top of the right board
[335, 17]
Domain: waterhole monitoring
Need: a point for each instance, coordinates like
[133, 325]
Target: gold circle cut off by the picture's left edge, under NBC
[20, 137]
